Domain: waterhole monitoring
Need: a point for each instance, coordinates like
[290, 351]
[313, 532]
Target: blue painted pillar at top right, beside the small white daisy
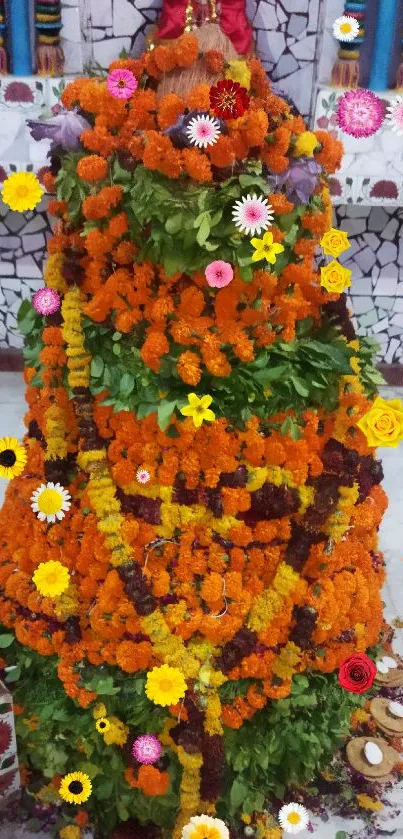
[383, 47]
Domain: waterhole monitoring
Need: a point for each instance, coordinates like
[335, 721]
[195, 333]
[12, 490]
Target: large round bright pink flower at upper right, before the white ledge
[360, 113]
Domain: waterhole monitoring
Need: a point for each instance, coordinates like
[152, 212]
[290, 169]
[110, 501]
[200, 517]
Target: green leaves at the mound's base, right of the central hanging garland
[288, 742]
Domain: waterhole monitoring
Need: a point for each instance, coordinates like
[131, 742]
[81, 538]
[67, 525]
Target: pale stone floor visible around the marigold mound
[11, 423]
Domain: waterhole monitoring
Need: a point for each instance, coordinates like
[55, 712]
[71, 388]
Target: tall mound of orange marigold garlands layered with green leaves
[198, 465]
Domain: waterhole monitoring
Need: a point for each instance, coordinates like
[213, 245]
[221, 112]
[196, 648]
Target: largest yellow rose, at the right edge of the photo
[383, 423]
